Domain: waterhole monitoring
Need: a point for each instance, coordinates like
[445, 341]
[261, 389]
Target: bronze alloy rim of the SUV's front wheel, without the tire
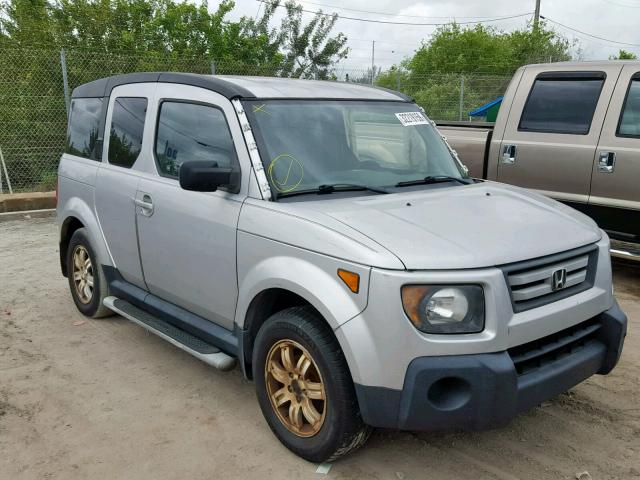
[295, 388]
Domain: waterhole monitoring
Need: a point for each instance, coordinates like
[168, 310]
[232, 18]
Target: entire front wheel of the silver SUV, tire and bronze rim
[304, 386]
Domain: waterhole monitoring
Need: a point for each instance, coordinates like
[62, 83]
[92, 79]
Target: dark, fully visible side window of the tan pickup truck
[562, 104]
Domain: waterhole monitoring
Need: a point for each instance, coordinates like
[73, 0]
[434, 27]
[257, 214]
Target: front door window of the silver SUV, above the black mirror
[192, 132]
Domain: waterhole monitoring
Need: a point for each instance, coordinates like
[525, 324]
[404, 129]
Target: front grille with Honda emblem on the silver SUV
[533, 283]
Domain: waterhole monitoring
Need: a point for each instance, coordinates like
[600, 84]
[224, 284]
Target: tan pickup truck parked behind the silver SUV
[570, 131]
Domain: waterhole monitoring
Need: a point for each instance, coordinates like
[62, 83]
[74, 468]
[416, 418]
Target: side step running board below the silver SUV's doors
[181, 339]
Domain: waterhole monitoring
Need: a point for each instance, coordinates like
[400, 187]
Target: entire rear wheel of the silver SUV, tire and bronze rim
[86, 280]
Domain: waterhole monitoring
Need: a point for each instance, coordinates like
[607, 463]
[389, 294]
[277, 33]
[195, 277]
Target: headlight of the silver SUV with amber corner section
[444, 308]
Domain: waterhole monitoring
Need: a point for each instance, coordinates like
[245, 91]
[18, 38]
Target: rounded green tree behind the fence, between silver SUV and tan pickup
[472, 64]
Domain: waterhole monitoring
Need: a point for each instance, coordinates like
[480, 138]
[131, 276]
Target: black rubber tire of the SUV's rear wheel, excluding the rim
[93, 308]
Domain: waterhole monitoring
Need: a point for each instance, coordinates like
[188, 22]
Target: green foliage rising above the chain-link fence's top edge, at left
[179, 28]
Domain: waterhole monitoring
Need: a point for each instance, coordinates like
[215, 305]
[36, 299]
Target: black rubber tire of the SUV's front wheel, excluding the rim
[342, 430]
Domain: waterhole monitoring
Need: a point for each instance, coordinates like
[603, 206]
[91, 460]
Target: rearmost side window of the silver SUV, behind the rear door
[84, 126]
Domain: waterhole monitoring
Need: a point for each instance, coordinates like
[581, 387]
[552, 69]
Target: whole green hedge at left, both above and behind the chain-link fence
[106, 37]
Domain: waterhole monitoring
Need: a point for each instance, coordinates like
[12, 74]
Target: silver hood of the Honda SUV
[473, 226]
